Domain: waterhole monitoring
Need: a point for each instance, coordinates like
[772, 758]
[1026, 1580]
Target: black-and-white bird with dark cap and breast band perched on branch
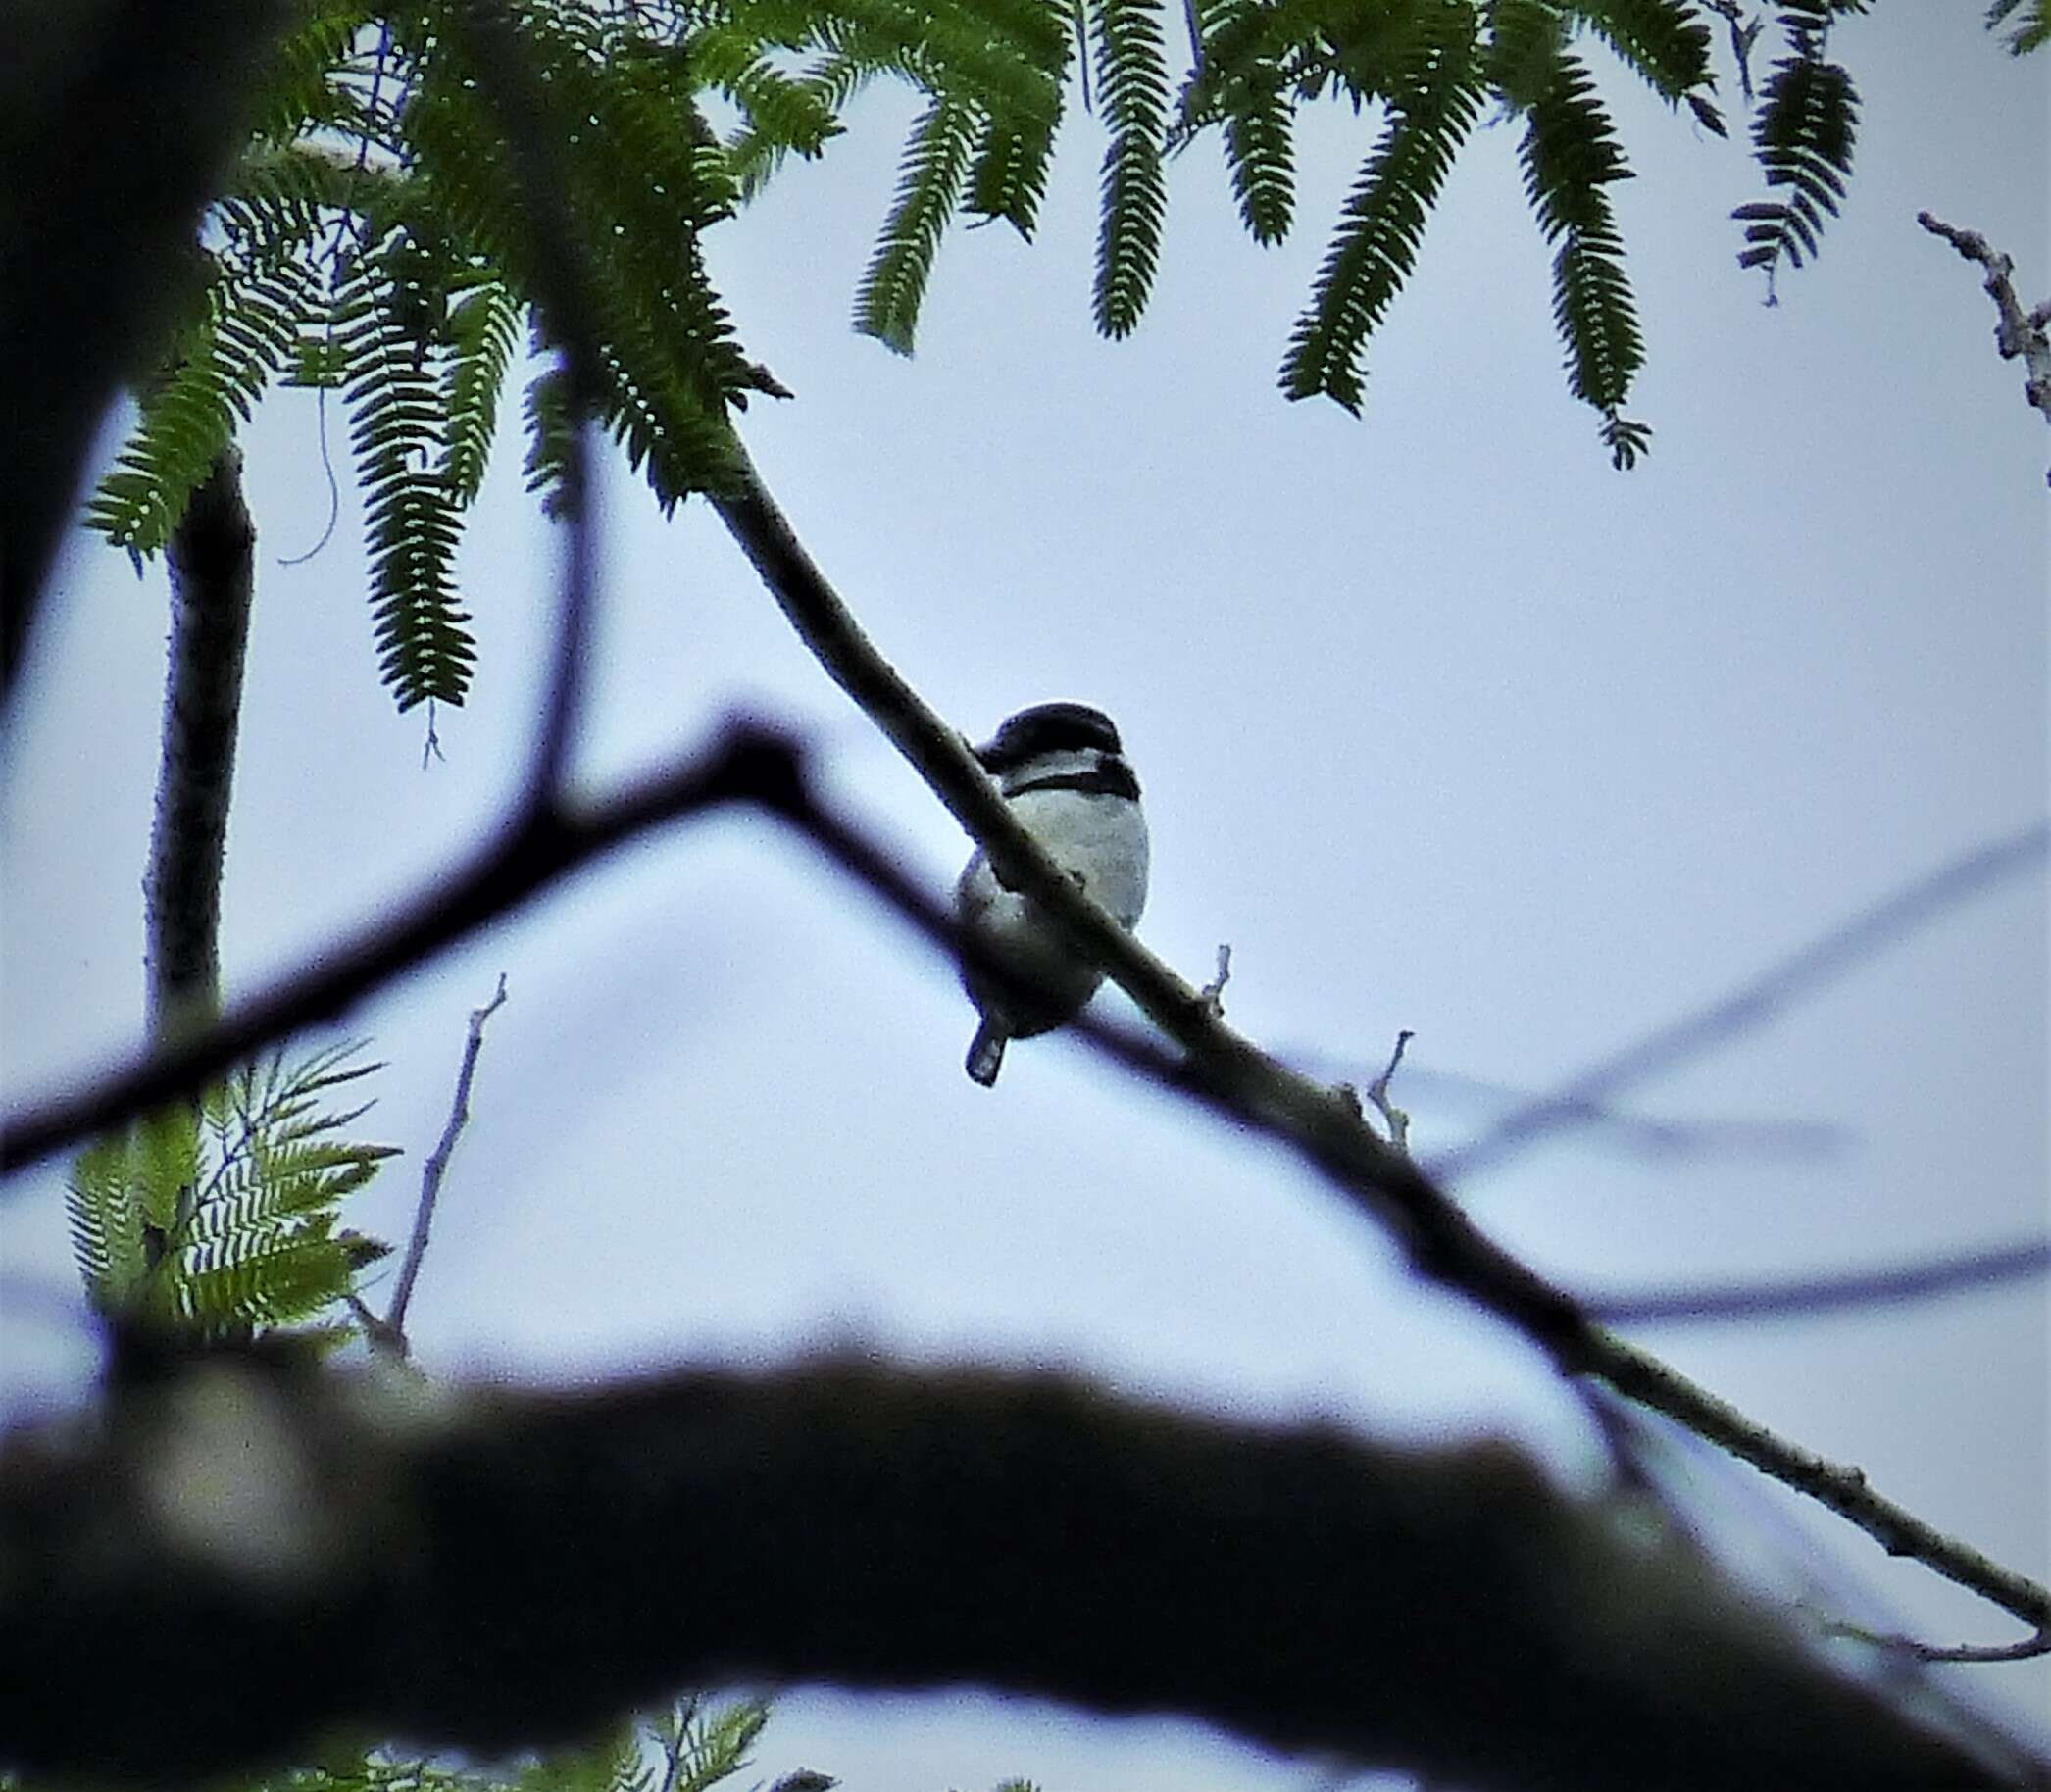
[1065, 776]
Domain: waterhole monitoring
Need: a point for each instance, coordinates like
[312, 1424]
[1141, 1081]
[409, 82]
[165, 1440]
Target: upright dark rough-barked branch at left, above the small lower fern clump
[212, 583]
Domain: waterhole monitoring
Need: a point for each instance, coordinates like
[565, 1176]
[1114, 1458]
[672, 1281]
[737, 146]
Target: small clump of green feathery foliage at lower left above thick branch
[225, 1217]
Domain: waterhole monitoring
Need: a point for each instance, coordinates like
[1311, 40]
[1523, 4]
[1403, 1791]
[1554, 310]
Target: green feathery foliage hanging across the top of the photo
[378, 237]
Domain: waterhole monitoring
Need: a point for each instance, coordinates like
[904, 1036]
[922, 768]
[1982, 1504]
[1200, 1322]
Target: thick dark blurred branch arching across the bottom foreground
[255, 1555]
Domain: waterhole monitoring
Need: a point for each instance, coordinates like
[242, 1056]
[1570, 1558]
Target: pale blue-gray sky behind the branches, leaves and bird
[1443, 727]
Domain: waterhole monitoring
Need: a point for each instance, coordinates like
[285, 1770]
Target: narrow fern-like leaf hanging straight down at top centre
[1133, 91]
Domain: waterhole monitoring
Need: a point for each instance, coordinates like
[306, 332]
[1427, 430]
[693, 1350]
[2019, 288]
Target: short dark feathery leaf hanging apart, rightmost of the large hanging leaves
[1802, 138]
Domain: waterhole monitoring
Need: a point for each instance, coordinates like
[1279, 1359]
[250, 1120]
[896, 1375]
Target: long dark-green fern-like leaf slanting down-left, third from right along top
[1381, 227]
